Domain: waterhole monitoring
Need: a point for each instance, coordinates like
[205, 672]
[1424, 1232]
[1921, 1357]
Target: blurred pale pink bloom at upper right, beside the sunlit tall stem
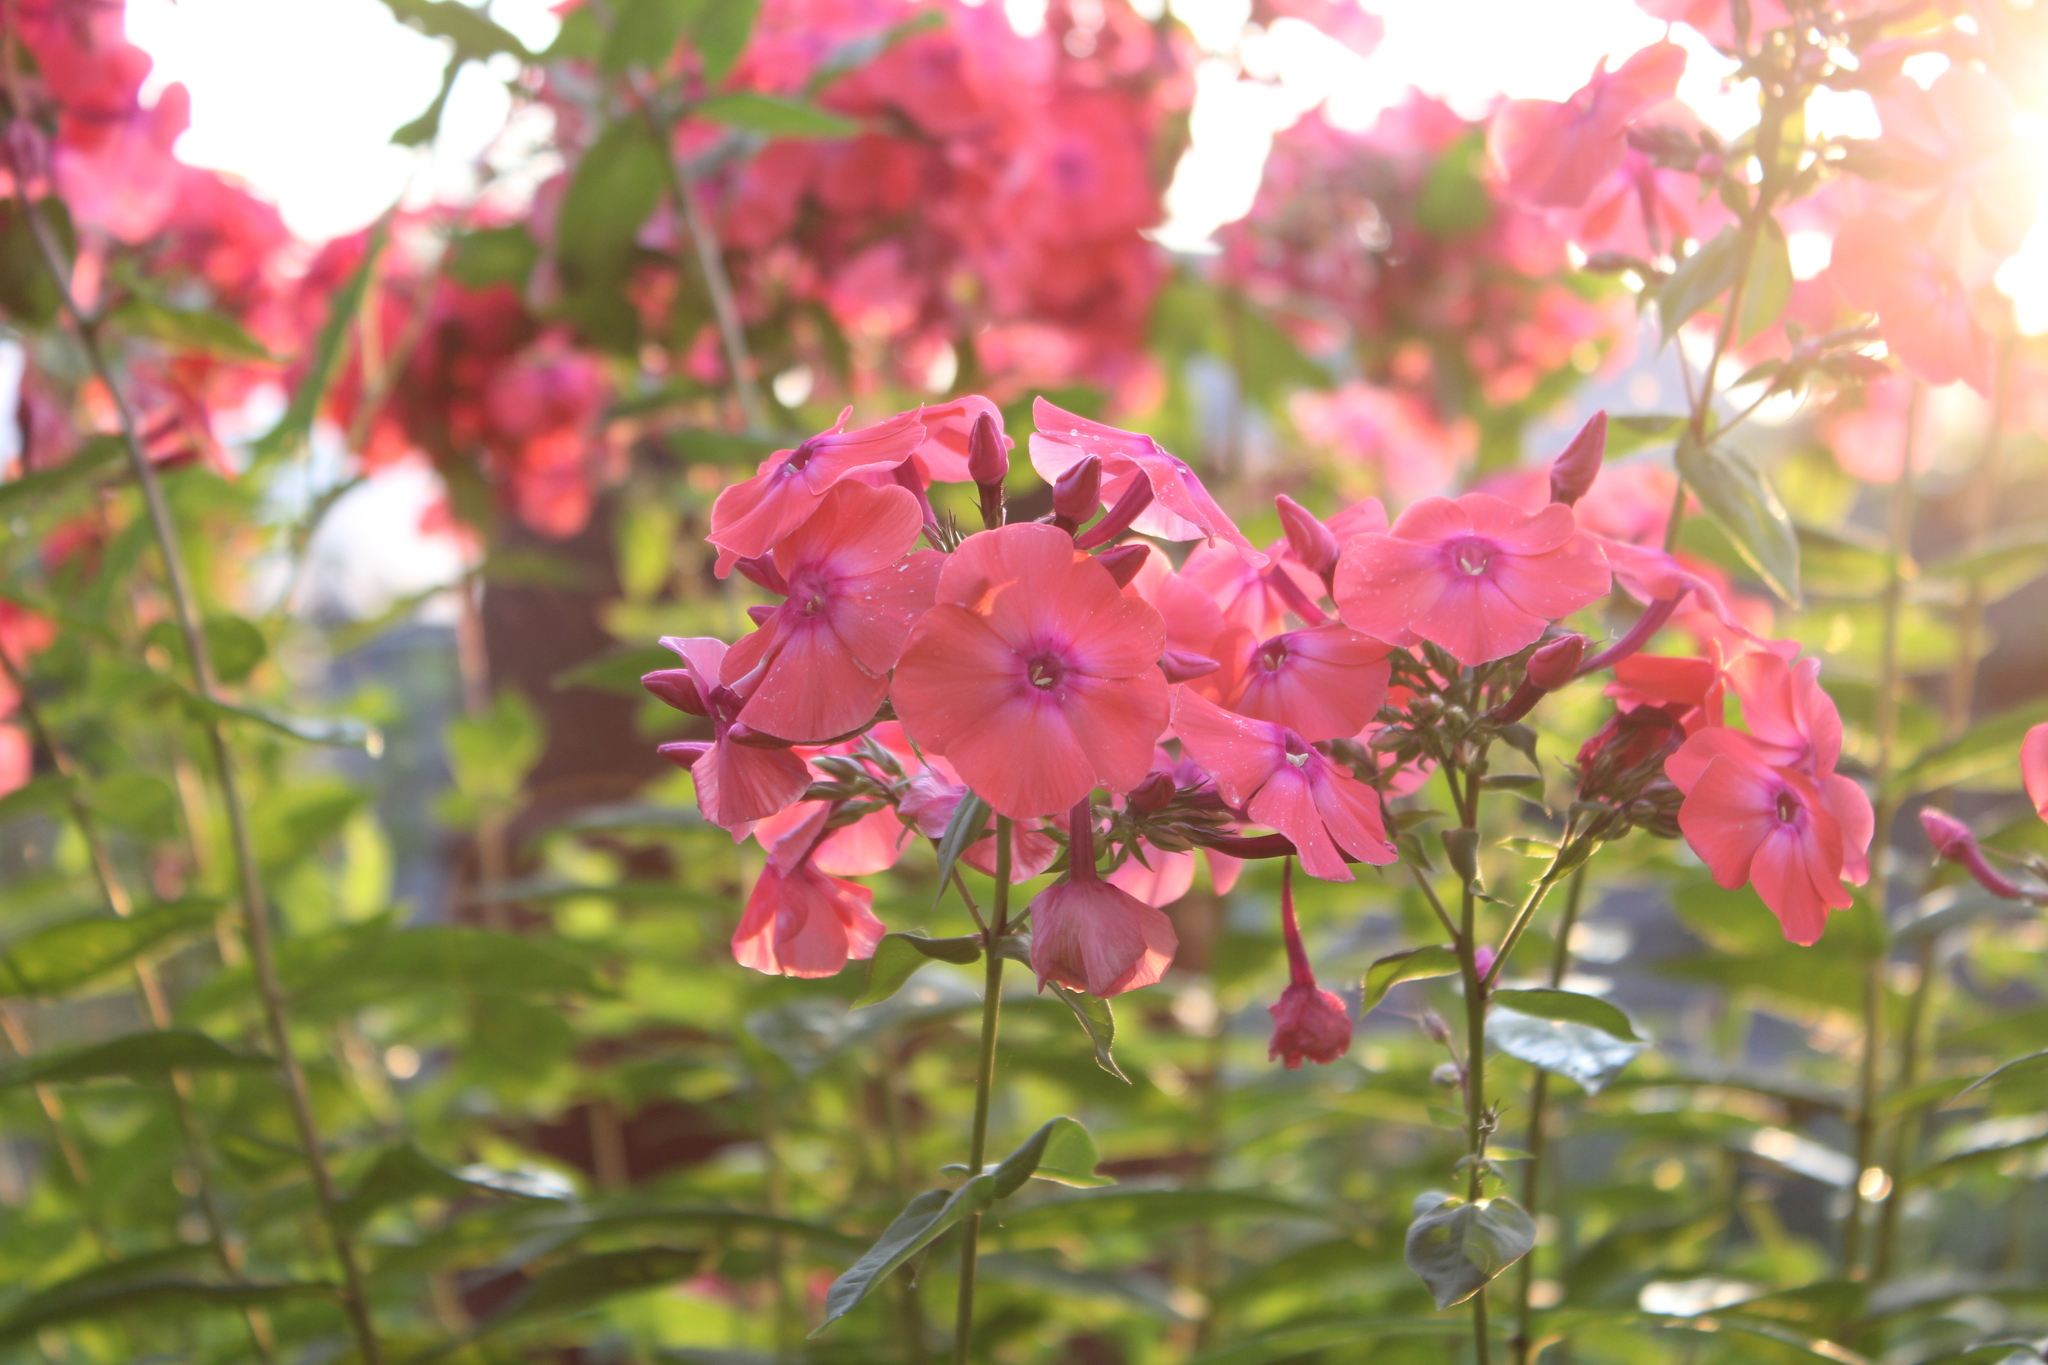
[1553, 155]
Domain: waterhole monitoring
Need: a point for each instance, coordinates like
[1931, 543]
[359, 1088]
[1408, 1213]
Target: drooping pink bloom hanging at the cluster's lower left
[802, 922]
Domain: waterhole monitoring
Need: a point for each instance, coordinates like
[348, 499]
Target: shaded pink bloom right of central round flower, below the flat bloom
[1322, 682]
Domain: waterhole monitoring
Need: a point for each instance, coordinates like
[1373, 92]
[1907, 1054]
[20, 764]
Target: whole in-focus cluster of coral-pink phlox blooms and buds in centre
[1123, 713]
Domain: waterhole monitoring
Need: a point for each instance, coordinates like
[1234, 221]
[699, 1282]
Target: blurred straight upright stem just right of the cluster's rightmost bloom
[1885, 723]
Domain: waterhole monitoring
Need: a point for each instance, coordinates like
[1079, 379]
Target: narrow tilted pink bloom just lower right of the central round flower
[1283, 783]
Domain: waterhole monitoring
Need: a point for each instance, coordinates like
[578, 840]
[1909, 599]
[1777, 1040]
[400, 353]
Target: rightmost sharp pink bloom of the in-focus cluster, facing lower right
[1795, 836]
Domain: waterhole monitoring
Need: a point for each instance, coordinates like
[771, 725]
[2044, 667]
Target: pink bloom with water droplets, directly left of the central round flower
[820, 664]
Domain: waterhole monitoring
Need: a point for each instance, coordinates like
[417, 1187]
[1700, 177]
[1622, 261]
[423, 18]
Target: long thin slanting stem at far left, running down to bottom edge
[255, 912]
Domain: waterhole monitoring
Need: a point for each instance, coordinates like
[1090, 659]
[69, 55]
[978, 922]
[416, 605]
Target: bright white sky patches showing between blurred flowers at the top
[302, 99]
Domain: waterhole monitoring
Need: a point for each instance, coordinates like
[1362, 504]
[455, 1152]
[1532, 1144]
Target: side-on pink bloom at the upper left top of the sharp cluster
[751, 519]
